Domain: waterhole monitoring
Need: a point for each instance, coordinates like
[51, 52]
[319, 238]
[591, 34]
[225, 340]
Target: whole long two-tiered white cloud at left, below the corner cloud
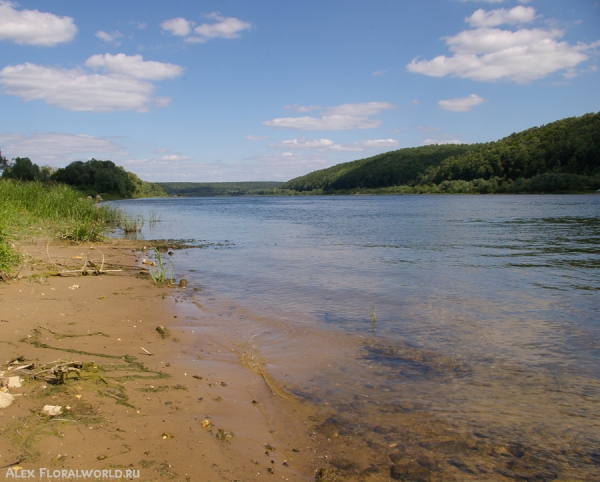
[125, 87]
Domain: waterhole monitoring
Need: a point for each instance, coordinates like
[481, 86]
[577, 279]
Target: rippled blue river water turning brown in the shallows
[457, 337]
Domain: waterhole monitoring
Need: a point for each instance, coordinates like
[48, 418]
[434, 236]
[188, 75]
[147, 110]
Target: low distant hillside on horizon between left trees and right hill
[199, 189]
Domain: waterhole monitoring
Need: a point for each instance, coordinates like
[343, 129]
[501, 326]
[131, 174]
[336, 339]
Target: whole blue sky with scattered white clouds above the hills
[268, 90]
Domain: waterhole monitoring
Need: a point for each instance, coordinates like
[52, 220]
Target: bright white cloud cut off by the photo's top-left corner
[33, 27]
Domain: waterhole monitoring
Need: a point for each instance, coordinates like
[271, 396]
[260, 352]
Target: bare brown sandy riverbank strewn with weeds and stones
[177, 405]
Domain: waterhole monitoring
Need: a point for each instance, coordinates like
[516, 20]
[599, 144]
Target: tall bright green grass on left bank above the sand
[58, 211]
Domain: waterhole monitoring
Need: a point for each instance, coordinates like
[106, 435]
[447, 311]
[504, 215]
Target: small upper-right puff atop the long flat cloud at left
[134, 66]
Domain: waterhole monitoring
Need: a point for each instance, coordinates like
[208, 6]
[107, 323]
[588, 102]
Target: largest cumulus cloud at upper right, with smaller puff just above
[491, 54]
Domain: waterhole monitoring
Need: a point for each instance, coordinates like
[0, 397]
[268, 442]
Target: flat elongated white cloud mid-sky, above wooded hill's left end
[342, 117]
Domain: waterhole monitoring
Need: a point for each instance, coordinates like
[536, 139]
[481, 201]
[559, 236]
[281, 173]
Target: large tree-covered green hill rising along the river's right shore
[561, 156]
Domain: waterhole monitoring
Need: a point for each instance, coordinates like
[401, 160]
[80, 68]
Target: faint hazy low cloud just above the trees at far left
[57, 148]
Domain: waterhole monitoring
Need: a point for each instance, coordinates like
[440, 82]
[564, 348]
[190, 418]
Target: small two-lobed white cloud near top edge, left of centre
[222, 27]
